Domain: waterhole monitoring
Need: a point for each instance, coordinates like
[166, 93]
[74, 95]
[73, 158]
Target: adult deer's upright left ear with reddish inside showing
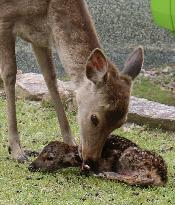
[96, 67]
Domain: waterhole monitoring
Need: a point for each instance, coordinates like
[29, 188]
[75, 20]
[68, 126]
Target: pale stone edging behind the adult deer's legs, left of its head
[31, 86]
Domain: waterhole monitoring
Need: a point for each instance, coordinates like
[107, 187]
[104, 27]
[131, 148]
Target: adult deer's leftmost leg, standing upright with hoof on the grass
[8, 72]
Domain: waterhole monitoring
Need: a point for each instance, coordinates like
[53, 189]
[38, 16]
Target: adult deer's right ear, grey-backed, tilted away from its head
[134, 63]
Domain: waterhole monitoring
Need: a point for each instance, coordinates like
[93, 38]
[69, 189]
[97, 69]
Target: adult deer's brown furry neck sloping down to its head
[74, 36]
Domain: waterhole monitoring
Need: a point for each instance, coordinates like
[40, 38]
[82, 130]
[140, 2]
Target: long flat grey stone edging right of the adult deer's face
[143, 111]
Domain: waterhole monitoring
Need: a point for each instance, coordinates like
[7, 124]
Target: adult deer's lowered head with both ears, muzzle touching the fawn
[103, 100]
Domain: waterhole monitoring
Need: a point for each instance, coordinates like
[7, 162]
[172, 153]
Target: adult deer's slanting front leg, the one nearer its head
[44, 58]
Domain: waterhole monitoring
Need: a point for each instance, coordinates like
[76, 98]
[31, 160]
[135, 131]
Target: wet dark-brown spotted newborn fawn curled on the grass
[121, 160]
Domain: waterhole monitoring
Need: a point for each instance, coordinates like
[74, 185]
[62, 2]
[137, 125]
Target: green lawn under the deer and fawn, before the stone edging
[37, 126]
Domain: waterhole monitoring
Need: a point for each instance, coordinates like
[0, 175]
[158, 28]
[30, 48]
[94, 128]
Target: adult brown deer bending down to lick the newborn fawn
[102, 92]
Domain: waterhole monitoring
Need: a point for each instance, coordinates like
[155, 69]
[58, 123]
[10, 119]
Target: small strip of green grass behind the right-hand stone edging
[148, 89]
